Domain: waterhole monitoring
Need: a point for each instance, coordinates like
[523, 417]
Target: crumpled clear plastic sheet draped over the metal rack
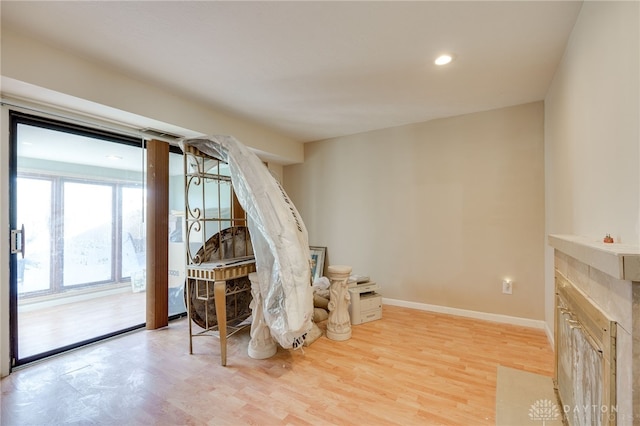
[279, 237]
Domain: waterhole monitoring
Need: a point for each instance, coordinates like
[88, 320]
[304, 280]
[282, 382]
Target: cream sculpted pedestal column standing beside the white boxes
[339, 323]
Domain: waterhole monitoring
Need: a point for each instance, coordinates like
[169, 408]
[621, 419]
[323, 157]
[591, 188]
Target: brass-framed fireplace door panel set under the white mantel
[585, 358]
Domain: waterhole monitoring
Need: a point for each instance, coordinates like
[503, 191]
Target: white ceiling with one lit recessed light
[319, 69]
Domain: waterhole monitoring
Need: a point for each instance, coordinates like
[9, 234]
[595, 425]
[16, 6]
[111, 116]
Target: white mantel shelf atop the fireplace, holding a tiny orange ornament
[621, 261]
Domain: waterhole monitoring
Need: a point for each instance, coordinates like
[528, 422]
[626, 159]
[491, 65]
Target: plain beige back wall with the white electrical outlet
[437, 212]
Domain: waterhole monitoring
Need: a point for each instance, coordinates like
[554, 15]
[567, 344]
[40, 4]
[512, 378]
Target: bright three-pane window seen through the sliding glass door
[97, 228]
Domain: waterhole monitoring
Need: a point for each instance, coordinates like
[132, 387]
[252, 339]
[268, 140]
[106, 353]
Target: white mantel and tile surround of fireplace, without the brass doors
[609, 276]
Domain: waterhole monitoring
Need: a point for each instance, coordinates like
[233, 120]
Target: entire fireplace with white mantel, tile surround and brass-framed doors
[597, 330]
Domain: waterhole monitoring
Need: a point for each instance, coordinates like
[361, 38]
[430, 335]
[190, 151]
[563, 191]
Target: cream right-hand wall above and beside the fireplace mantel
[592, 138]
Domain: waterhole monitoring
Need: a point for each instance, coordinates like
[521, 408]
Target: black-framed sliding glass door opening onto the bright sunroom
[79, 193]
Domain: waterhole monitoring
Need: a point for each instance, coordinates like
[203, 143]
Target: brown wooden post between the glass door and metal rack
[157, 234]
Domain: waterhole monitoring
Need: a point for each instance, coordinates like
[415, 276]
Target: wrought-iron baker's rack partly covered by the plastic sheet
[219, 251]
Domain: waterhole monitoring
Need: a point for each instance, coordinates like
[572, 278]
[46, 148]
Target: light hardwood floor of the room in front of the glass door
[410, 368]
